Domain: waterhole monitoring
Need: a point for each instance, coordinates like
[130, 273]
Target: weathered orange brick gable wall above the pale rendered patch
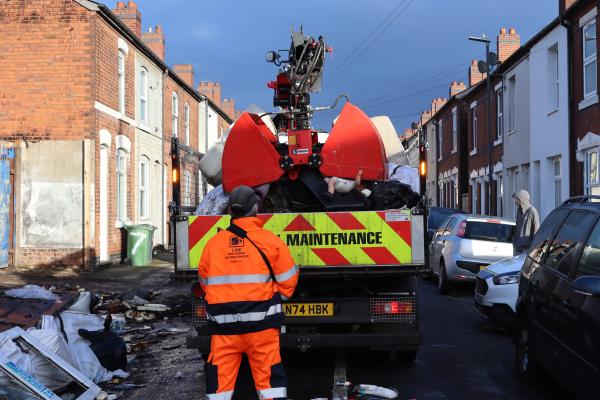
[46, 58]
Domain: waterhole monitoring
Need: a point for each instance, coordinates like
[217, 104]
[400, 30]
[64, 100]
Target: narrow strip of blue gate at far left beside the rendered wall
[7, 213]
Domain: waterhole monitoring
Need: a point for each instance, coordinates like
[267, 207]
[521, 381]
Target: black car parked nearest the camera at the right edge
[558, 309]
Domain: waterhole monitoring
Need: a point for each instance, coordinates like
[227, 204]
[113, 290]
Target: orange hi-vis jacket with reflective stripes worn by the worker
[241, 297]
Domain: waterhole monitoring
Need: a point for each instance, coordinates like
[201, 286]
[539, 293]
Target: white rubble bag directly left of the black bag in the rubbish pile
[83, 355]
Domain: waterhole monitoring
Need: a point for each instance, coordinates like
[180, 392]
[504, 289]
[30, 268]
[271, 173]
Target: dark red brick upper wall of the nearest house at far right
[586, 120]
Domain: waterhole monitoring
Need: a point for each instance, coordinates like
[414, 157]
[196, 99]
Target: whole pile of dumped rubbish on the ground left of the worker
[78, 342]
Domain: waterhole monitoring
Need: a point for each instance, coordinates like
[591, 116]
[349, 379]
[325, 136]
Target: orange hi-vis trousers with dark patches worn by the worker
[262, 350]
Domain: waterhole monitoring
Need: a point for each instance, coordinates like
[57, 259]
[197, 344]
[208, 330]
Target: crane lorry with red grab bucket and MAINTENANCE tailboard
[358, 266]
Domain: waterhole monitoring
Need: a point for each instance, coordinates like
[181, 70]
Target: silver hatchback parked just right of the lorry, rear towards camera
[464, 244]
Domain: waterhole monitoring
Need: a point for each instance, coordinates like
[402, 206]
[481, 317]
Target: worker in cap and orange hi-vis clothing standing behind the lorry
[245, 272]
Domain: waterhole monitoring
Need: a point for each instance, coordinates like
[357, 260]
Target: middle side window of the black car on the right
[564, 248]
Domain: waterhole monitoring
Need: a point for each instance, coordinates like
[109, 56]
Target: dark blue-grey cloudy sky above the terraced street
[419, 48]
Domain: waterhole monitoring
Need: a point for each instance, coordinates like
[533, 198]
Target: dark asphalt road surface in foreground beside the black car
[461, 358]
